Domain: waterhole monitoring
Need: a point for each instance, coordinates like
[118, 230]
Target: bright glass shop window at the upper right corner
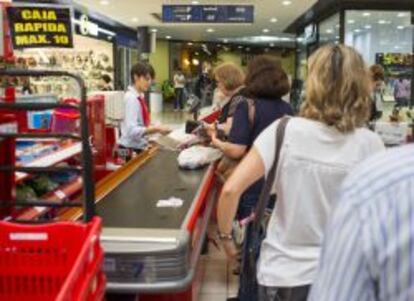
[386, 38]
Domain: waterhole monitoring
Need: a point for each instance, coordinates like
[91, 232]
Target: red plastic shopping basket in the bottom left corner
[60, 261]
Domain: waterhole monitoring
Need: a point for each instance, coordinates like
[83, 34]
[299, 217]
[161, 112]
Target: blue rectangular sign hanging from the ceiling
[208, 13]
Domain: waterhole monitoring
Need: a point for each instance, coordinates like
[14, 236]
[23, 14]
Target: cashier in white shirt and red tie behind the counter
[136, 125]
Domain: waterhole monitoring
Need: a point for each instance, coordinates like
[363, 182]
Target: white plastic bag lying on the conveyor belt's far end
[198, 156]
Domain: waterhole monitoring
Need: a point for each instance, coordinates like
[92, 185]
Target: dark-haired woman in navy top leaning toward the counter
[266, 82]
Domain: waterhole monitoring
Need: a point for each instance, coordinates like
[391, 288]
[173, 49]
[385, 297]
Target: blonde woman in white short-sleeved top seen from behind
[319, 150]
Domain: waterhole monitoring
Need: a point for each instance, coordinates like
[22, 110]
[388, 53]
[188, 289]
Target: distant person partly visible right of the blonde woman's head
[377, 84]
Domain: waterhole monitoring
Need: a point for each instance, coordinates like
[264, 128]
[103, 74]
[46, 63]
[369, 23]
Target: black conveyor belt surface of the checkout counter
[133, 203]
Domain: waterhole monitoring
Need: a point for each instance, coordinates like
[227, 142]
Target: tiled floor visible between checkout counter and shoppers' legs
[219, 283]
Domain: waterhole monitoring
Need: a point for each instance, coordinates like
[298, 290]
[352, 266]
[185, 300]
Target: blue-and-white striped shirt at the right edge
[368, 252]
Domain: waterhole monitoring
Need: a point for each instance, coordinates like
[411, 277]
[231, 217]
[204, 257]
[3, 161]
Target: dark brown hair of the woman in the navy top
[266, 78]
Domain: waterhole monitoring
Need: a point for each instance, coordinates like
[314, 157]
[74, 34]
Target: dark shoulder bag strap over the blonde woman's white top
[267, 187]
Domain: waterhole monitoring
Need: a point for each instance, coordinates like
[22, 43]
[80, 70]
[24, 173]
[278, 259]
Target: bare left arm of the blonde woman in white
[250, 169]
